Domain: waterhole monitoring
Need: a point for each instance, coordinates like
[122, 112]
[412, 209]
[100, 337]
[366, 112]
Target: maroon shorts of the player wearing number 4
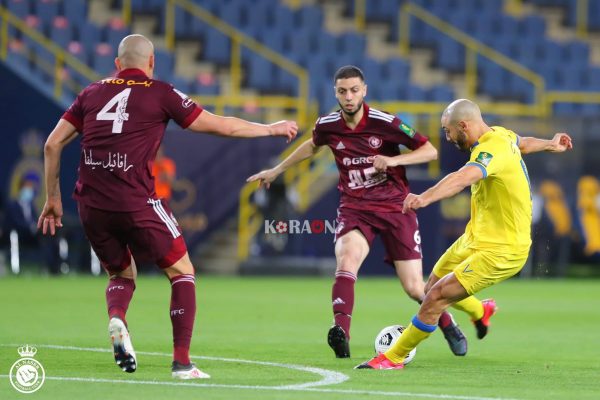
[151, 235]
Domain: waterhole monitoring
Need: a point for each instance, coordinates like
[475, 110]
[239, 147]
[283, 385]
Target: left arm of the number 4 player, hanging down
[51, 215]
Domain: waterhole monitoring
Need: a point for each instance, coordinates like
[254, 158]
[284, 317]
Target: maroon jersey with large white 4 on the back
[122, 121]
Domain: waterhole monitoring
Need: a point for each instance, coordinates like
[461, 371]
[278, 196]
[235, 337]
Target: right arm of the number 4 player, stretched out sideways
[208, 122]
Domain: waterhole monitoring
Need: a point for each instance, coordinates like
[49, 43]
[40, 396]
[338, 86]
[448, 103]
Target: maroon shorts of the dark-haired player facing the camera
[399, 232]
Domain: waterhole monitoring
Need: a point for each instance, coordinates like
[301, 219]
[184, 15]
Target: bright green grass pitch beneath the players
[264, 338]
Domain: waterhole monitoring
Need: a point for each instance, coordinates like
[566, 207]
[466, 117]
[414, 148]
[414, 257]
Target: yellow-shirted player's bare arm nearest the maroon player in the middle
[449, 186]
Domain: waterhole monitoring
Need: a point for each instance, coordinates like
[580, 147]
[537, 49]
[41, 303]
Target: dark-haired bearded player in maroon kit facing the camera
[373, 186]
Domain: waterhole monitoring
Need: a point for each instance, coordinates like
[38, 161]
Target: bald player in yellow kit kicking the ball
[496, 241]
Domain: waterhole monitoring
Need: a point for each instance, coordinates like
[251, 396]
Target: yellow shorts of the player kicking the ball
[477, 269]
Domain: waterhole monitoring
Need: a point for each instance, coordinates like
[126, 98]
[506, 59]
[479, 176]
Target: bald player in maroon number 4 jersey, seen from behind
[122, 121]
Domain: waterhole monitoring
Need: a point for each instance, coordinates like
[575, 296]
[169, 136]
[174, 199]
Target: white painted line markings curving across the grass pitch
[329, 378]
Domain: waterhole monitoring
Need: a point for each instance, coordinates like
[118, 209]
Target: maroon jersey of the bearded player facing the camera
[378, 133]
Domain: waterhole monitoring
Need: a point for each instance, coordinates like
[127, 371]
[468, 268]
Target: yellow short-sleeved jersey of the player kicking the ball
[501, 201]
